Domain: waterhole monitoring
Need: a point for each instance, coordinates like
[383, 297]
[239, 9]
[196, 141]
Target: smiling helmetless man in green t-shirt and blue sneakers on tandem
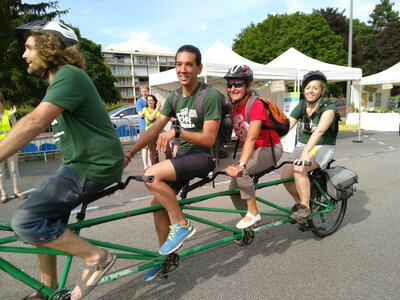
[193, 159]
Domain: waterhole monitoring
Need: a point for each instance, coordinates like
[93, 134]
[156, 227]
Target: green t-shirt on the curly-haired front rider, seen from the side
[83, 131]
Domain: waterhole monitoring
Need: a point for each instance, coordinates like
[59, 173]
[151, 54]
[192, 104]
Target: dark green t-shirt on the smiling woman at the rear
[306, 131]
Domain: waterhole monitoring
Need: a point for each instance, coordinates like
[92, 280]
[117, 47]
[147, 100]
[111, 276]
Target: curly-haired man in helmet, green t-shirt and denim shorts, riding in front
[92, 156]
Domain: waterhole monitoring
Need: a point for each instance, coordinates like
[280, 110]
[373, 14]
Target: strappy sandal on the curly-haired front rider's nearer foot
[103, 265]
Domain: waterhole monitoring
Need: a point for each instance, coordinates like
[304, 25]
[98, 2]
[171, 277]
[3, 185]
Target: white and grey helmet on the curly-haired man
[66, 34]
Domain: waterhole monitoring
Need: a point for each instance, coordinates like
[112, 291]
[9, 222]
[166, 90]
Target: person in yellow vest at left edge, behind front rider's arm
[7, 119]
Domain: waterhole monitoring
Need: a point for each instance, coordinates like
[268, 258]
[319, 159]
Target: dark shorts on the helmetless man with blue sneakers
[189, 165]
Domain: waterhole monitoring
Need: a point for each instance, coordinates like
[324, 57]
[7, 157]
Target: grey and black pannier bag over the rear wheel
[339, 182]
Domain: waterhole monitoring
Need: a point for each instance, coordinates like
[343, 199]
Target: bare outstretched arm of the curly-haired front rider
[28, 128]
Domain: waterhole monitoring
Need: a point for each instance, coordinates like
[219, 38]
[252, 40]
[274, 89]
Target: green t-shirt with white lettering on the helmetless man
[187, 116]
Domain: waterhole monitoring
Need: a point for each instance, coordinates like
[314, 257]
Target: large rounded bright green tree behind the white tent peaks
[309, 34]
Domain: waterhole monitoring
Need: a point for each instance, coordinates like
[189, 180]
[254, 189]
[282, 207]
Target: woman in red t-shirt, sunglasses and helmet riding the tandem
[257, 153]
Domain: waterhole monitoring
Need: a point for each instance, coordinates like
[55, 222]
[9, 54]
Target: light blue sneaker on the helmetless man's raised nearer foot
[177, 235]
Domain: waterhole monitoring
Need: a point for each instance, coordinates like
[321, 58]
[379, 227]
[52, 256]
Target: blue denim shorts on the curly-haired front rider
[44, 215]
